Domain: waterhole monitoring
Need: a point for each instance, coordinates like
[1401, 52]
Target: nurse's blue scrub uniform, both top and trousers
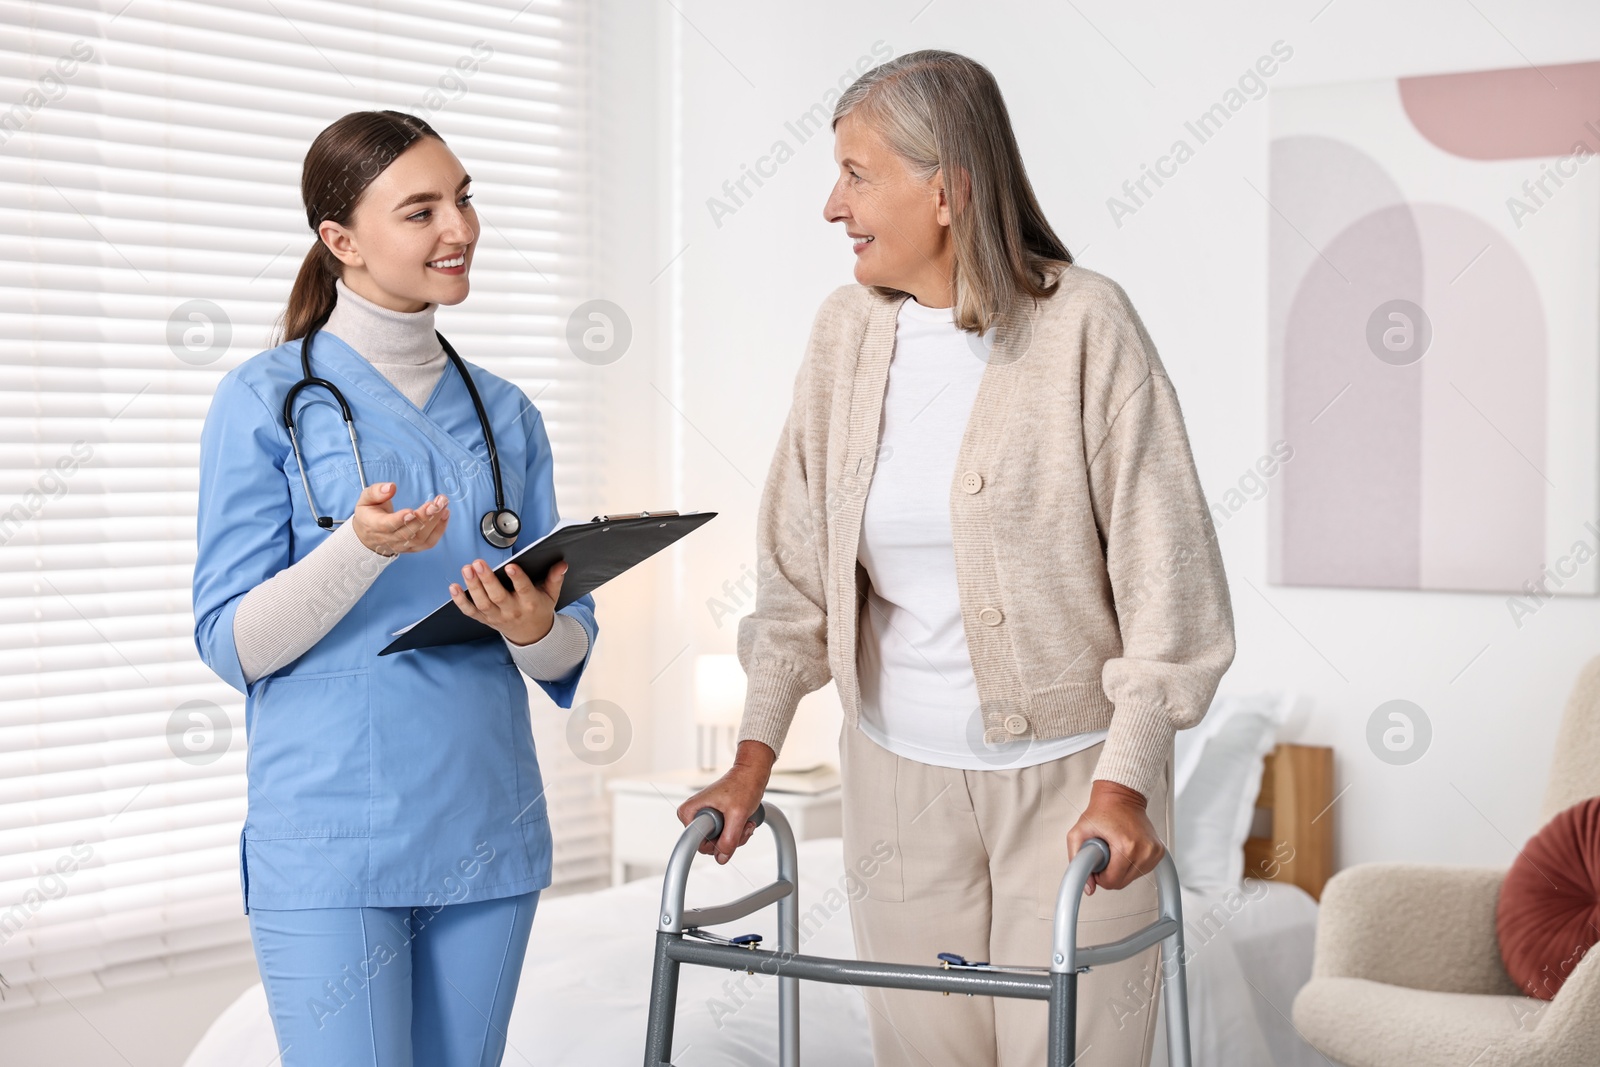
[396, 836]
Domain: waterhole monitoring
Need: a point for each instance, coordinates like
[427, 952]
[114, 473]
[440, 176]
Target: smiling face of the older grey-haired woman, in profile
[900, 228]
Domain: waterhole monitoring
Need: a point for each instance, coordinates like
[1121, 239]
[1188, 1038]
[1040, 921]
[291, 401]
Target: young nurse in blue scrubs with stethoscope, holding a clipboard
[396, 837]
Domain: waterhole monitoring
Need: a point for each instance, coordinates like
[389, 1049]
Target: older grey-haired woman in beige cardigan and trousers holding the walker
[985, 524]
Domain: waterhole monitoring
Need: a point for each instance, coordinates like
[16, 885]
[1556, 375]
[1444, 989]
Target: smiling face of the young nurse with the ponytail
[412, 234]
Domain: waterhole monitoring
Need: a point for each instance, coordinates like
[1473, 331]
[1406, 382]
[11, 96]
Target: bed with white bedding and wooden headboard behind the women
[586, 980]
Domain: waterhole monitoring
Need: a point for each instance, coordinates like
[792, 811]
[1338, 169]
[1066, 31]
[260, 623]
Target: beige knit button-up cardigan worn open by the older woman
[1087, 569]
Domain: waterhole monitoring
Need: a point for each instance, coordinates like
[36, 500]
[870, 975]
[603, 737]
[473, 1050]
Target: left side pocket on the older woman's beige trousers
[871, 815]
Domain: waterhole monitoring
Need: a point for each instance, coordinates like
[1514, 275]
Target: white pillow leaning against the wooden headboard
[1217, 777]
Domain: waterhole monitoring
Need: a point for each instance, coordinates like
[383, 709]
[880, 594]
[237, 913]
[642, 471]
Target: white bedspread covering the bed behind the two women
[586, 981]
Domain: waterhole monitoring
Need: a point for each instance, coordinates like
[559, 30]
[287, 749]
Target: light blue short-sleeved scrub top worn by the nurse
[377, 781]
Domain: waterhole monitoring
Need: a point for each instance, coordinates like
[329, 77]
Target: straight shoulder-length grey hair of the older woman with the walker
[943, 113]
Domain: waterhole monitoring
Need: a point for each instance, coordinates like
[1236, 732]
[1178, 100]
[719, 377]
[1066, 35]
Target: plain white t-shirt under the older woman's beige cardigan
[919, 698]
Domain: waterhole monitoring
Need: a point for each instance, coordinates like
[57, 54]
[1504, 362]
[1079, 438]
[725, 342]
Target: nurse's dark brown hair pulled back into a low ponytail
[340, 166]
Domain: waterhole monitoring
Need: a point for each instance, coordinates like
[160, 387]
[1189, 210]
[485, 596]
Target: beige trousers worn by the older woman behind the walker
[975, 860]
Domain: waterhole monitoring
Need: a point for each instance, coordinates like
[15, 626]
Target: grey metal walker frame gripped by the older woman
[1060, 986]
